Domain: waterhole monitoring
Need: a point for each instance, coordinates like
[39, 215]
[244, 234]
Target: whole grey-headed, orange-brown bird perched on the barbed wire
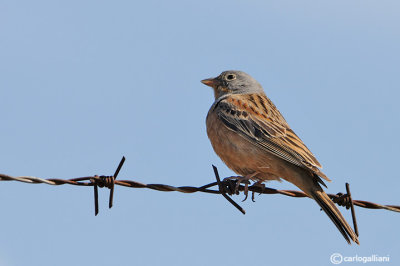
[253, 139]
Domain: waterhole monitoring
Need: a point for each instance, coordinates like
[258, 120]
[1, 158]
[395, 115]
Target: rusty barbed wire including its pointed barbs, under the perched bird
[344, 200]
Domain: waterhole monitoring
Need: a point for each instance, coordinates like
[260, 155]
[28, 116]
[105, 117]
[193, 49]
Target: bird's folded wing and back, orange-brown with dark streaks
[256, 118]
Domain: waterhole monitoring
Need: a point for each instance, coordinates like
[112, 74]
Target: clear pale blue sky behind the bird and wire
[83, 83]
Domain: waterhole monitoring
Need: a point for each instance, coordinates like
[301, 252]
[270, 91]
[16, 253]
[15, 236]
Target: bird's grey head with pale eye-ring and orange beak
[233, 82]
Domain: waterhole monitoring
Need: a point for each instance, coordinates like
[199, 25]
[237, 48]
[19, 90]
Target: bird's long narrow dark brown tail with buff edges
[334, 214]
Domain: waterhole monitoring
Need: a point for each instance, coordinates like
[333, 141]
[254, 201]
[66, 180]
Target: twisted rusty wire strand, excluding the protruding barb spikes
[99, 180]
